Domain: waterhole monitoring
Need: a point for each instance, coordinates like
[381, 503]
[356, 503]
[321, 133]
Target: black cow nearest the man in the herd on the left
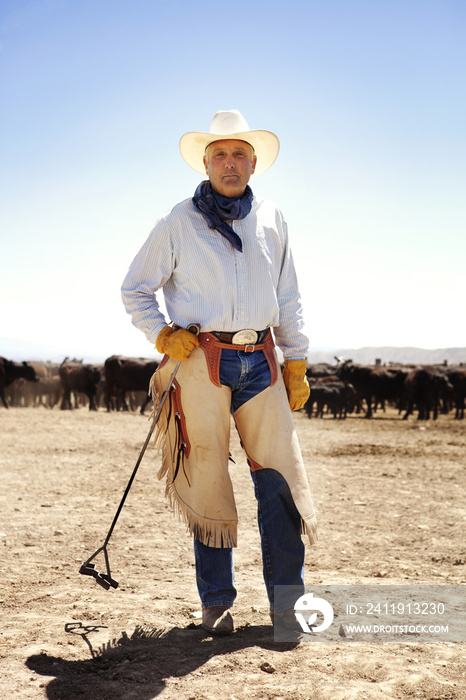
[123, 374]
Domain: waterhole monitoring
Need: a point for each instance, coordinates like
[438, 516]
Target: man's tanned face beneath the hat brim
[229, 164]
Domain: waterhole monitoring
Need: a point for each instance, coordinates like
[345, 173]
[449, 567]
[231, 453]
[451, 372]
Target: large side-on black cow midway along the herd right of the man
[376, 384]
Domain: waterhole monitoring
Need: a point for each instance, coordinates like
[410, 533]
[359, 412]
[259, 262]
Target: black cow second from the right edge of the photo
[425, 389]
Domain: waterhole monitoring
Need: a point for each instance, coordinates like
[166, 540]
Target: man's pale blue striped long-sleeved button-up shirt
[205, 280]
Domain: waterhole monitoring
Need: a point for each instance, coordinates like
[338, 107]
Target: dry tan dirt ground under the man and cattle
[390, 496]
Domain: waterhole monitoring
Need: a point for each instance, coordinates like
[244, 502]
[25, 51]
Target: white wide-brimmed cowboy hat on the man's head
[229, 125]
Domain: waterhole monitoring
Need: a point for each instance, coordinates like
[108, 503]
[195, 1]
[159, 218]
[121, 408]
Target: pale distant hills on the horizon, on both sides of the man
[20, 350]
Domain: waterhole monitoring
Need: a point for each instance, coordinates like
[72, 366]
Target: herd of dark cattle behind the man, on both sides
[121, 383]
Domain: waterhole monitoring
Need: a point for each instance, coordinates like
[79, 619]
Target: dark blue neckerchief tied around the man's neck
[217, 209]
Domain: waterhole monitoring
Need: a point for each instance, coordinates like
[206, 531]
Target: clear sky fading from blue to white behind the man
[367, 98]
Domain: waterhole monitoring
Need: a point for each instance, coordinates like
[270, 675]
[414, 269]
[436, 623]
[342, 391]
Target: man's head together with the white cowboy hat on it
[230, 127]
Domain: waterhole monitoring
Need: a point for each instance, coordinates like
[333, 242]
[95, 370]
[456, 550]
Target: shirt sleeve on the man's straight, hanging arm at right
[289, 336]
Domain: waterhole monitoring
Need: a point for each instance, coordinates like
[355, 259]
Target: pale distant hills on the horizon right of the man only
[387, 355]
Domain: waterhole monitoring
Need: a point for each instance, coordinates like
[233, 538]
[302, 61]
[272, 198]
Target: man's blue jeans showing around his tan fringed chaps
[279, 521]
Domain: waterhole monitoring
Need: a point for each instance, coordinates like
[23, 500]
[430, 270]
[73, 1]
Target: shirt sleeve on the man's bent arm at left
[147, 274]
